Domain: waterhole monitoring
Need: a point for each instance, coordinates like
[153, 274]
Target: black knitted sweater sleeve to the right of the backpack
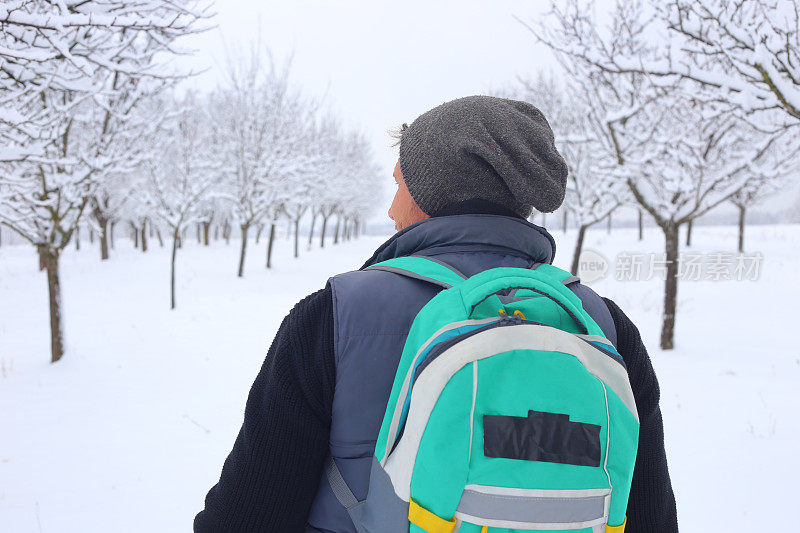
[651, 506]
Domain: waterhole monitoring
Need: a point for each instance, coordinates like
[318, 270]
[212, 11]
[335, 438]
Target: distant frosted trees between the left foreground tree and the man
[251, 153]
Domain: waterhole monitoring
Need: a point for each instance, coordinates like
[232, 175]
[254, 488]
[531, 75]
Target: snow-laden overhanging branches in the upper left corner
[86, 50]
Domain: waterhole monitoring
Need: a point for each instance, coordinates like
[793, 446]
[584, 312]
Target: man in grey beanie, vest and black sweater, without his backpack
[469, 174]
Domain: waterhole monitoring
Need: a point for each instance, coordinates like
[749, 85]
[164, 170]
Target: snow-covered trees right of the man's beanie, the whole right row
[674, 107]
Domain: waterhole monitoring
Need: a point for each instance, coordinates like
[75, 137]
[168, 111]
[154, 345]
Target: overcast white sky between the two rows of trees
[377, 63]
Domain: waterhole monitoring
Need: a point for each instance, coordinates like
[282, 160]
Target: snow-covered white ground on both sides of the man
[130, 429]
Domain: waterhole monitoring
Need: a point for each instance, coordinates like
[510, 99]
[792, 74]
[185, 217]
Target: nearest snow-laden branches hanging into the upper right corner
[749, 49]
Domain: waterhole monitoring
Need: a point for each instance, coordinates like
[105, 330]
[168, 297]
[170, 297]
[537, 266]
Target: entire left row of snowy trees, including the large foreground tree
[92, 132]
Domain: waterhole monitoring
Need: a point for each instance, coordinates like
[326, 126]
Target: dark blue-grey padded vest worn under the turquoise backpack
[372, 313]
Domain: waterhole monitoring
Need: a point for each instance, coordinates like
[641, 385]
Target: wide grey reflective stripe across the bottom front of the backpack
[542, 509]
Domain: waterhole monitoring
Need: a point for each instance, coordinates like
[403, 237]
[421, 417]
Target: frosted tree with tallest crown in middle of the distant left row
[264, 125]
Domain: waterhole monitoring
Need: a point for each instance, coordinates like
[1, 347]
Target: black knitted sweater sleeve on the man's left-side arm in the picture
[271, 475]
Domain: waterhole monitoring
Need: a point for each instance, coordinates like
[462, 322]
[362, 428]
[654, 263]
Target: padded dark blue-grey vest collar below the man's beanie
[478, 231]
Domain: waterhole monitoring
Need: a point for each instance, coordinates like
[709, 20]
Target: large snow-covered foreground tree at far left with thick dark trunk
[62, 65]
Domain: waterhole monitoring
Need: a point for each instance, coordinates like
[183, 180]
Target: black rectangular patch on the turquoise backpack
[541, 436]
